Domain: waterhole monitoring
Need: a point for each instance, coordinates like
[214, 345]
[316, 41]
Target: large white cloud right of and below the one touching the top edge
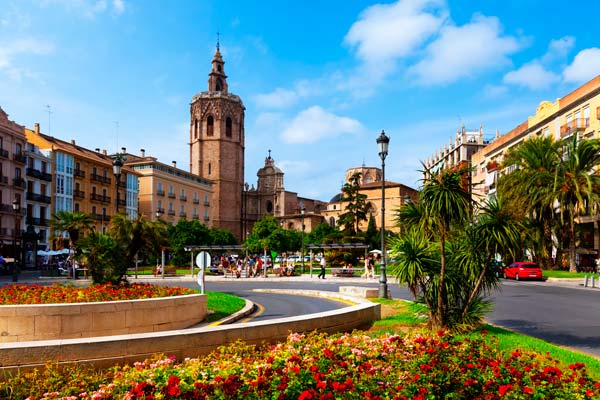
[463, 51]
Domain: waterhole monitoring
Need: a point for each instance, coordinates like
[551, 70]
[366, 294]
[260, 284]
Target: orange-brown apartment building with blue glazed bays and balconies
[84, 180]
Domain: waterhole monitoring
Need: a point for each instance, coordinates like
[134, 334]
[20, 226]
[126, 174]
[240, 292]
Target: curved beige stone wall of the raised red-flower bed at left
[82, 320]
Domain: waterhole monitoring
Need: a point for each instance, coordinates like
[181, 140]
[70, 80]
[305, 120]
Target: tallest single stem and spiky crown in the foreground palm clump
[446, 202]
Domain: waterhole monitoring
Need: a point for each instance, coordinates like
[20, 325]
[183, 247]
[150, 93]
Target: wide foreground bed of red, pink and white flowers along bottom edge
[317, 366]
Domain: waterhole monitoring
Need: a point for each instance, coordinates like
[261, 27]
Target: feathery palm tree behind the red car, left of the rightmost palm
[528, 191]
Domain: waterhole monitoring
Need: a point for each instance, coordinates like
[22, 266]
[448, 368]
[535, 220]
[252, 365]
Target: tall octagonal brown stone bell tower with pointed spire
[217, 147]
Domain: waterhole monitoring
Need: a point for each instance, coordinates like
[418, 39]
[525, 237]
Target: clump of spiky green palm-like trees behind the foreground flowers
[466, 252]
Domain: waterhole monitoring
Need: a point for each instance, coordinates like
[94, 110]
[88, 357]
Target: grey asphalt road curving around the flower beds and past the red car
[562, 313]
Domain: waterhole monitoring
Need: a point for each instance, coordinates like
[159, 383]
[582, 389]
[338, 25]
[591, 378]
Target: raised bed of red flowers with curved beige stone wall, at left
[30, 313]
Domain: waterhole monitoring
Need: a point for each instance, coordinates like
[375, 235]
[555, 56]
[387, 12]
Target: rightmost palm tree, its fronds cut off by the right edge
[576, 186]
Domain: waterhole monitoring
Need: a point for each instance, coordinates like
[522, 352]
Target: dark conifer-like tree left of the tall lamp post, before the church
[356, 205]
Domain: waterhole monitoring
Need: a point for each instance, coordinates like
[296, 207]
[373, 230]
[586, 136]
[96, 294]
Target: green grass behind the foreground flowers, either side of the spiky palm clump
[401, 316]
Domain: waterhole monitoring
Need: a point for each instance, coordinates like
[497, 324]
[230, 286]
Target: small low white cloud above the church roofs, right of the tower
[314, 124]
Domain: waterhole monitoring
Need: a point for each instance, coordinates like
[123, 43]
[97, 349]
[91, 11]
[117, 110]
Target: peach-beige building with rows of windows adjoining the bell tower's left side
[170, 193]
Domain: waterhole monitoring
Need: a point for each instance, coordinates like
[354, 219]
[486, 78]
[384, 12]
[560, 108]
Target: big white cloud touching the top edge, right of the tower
[388, 31]
